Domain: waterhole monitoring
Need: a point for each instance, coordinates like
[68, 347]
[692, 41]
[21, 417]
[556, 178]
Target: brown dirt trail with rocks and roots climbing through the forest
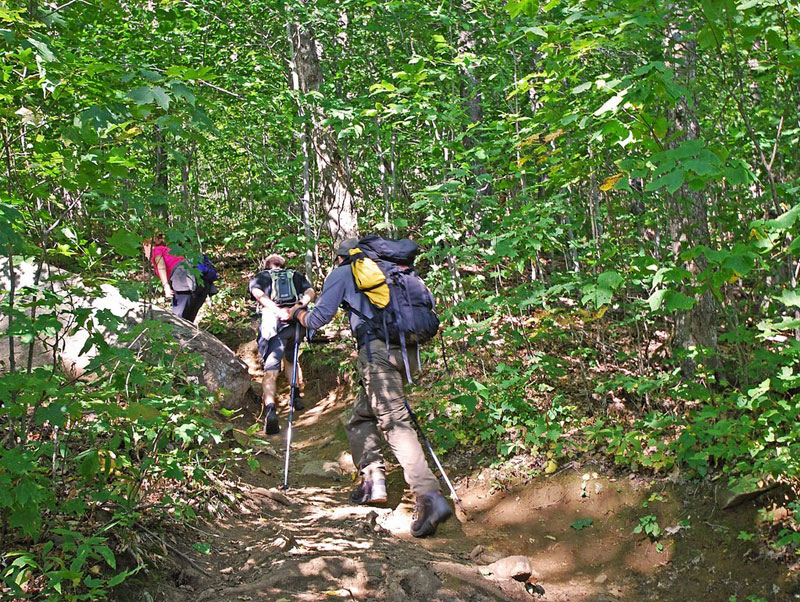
[575, 527]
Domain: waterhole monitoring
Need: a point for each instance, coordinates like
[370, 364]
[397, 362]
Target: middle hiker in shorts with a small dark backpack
[278, 290]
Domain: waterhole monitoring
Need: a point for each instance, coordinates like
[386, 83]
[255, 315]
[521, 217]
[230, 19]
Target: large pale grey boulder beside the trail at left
[223, 373]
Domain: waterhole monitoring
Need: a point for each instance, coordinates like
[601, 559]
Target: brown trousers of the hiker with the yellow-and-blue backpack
[380, 409]
